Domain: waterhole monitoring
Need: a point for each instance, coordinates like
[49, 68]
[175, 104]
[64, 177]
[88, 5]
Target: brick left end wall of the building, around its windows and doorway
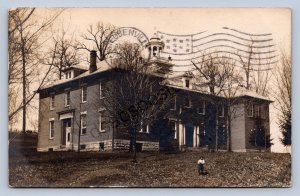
[91, 108]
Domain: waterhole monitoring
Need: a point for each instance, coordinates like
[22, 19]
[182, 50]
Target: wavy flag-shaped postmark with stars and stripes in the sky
[226, 42]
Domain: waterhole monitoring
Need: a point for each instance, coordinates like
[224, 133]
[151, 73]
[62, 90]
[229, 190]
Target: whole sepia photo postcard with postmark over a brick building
[149, 97]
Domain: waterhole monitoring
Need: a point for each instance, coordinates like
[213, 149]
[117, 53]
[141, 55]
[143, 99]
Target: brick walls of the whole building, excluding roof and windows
[204, 125]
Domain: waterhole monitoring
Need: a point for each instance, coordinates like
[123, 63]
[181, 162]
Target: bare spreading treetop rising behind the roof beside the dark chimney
[100, 36]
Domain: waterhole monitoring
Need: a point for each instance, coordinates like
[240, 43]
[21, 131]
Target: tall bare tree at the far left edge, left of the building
[24, 46]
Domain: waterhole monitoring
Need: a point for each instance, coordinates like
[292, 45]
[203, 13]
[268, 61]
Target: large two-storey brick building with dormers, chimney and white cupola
[69, 113]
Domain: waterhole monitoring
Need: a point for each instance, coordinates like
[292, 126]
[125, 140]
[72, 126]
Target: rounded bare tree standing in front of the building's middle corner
[134, 98]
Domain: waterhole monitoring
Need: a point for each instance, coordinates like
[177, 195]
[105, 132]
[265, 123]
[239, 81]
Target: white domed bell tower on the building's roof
[154, 46]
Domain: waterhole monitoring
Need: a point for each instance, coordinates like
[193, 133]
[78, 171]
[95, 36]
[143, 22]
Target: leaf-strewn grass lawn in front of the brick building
[68, 169]
